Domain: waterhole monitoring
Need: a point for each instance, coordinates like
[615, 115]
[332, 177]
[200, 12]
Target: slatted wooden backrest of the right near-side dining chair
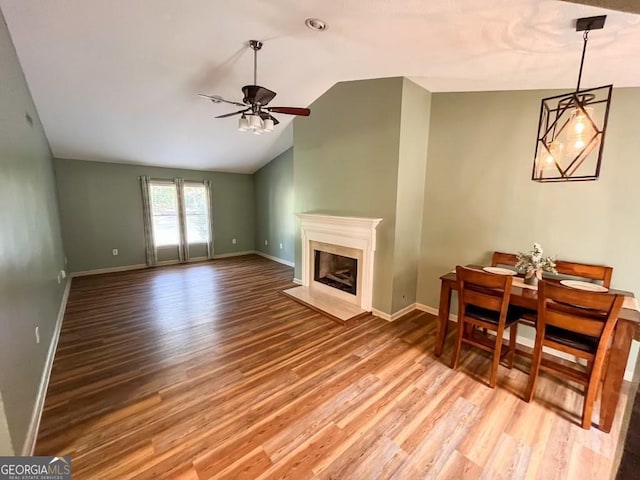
[588, 313]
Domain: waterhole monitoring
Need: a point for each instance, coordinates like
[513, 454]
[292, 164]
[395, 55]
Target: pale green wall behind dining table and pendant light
[479, 196]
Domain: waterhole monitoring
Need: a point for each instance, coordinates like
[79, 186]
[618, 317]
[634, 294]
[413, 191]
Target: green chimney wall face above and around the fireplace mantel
[346, 163]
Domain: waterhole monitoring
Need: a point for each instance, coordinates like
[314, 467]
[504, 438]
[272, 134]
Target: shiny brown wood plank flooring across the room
[207, 371]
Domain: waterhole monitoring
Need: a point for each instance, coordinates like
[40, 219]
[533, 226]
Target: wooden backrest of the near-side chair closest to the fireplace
[482, 289]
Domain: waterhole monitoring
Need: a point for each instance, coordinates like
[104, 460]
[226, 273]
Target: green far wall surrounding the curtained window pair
[101, 209]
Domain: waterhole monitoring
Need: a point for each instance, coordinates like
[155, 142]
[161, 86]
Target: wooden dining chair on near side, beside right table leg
[577, 322]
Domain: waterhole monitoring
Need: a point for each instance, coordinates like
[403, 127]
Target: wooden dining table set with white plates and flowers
[526, 297]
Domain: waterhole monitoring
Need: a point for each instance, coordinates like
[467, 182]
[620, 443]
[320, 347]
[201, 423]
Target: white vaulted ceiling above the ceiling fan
[116, 80]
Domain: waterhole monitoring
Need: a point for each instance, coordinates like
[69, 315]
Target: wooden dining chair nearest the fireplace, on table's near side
[483, 301]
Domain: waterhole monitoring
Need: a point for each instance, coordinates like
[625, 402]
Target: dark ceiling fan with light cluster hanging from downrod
[255, 114]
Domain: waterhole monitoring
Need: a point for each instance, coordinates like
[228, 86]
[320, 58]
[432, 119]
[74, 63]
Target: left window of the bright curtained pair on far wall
[164, 211]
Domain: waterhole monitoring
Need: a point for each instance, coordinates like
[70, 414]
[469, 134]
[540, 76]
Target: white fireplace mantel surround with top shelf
[350, 232]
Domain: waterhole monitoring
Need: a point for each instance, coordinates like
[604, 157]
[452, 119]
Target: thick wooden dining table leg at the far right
[614, 375]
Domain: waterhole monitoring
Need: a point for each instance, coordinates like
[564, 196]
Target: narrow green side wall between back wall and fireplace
[275, 222]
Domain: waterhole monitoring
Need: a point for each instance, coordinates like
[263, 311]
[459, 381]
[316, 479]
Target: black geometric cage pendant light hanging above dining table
[572, 126]
